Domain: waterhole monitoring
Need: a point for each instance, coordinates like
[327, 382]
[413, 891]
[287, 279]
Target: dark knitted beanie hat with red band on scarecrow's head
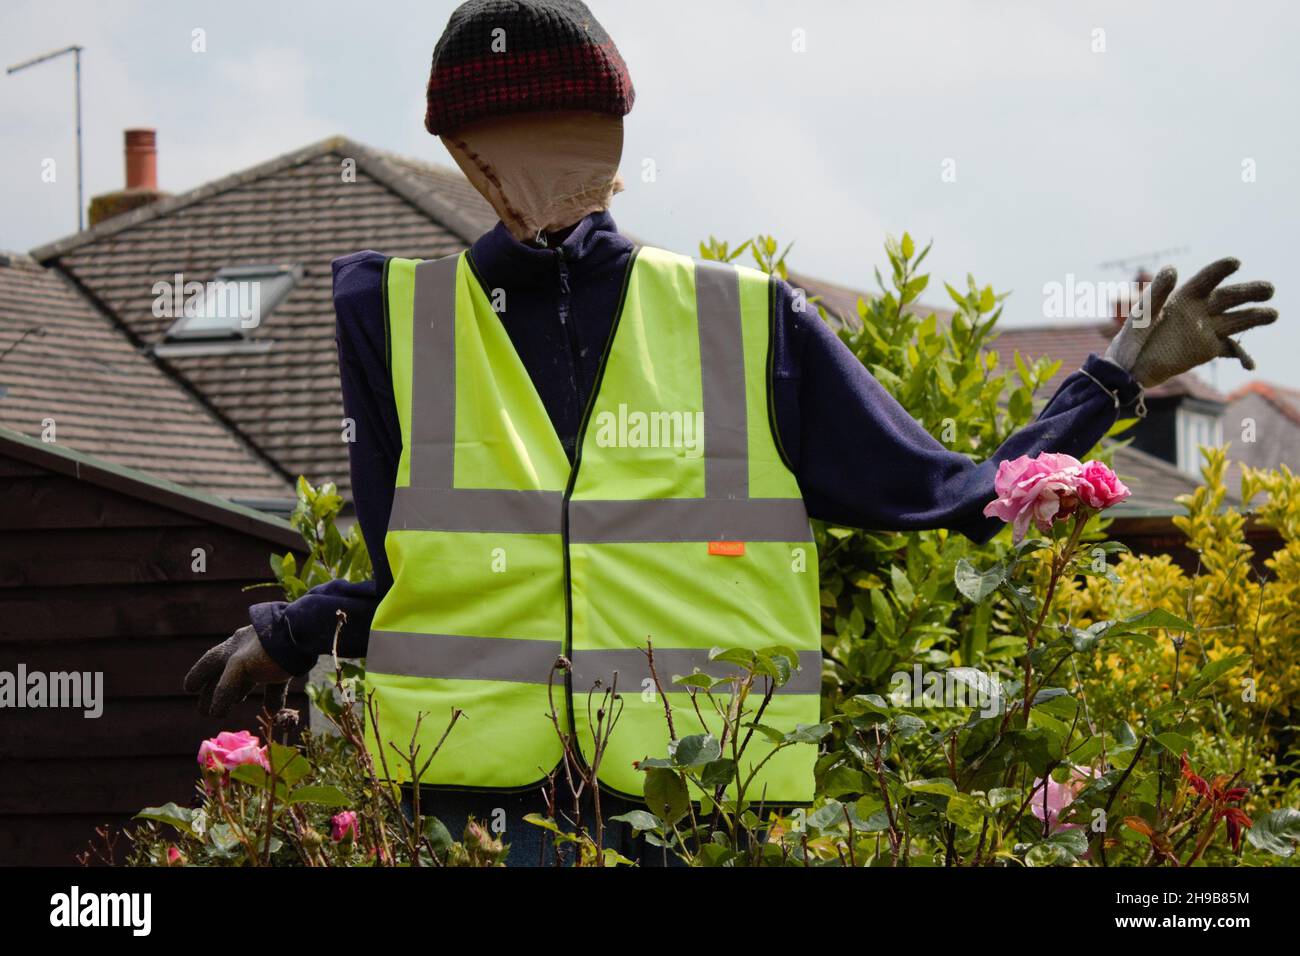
[518, 57]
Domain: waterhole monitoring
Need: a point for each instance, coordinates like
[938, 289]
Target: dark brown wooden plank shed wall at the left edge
[101, 581]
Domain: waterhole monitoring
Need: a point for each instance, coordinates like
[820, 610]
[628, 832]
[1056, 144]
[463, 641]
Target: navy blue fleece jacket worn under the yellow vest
[861, 461]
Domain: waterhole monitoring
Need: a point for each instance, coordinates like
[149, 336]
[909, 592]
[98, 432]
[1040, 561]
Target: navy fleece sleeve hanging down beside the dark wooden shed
[297, 634]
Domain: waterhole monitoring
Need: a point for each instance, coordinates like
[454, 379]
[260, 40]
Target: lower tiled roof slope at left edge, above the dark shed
[62, 360]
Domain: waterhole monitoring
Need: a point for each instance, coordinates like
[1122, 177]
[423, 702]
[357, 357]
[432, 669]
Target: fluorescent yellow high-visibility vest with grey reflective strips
[679, 522]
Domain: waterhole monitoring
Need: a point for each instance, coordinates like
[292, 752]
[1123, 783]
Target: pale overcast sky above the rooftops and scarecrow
[1078, 133]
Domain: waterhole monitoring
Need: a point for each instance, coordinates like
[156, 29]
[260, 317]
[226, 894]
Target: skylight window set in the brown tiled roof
[228, 309]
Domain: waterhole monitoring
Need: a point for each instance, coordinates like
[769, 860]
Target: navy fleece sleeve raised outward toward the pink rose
[864, 462]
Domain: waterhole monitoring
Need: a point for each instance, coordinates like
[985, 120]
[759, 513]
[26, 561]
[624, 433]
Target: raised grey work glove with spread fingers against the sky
[1191, 325]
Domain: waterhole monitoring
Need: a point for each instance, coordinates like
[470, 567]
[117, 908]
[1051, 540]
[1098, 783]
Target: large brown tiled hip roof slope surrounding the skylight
[298, 210]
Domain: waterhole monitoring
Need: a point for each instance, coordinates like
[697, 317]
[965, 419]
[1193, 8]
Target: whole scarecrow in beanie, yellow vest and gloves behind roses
[573, 451]
